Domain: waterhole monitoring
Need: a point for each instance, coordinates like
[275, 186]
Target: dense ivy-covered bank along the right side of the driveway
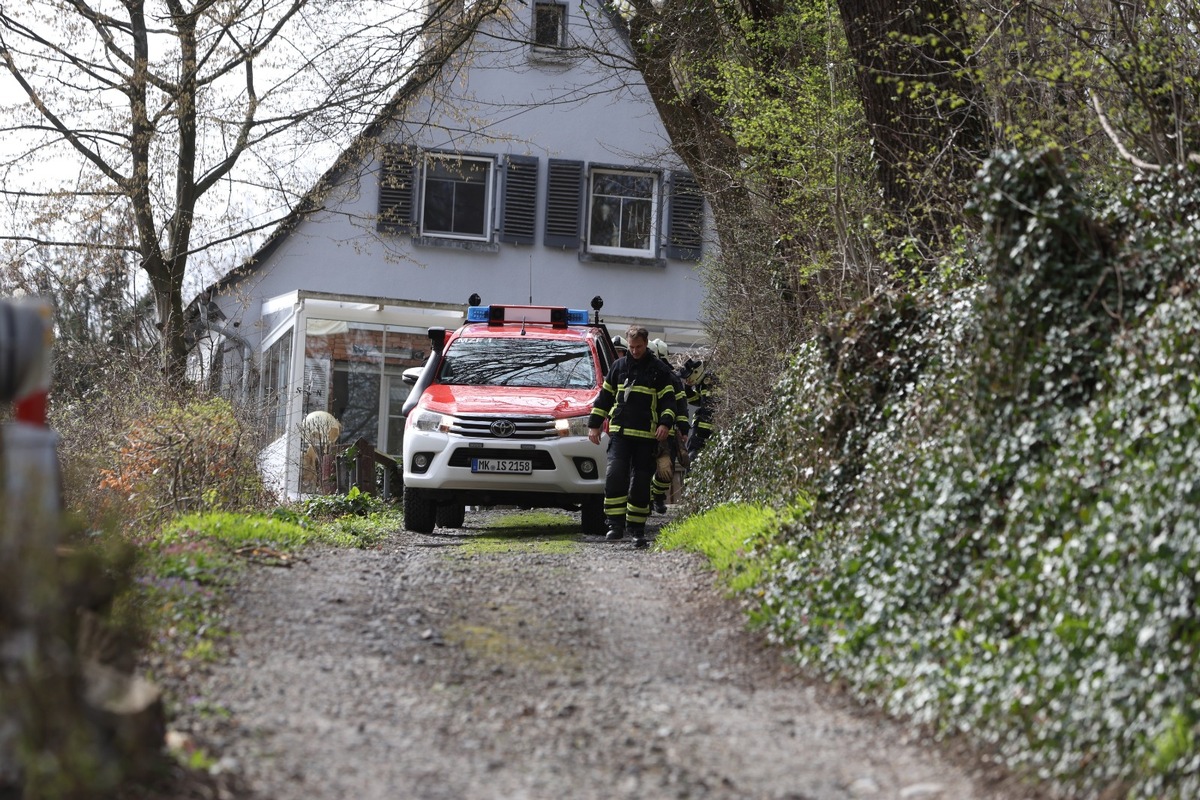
[1006, 537]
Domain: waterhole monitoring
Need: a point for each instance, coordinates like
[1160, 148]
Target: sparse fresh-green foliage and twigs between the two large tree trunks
[794, 249]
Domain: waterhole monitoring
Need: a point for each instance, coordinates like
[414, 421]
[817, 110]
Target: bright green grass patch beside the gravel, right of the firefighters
[730, 538]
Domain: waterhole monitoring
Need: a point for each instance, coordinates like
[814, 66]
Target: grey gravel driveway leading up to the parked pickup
[437, 669]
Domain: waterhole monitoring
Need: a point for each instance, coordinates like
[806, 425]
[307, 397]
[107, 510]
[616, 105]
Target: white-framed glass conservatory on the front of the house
[327, 372]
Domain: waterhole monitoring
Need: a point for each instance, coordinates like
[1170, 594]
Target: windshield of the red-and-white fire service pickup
[511, 362]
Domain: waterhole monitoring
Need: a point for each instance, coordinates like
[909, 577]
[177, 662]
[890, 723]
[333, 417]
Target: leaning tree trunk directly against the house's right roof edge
[754, 292]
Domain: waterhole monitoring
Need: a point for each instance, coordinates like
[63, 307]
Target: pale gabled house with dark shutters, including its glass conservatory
[526, 172]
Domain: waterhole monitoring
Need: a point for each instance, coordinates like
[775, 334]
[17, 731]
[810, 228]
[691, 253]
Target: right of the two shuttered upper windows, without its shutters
[622, 213]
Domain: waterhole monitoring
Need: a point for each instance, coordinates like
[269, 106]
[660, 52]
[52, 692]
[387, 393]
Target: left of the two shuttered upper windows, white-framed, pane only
[457, 197]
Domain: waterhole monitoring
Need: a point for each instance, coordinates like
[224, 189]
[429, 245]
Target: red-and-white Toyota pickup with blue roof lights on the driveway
[500, 414]
